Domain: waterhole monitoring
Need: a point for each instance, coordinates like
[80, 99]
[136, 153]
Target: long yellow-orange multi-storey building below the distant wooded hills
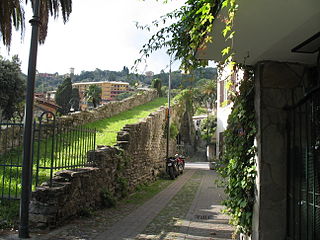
[109, 90]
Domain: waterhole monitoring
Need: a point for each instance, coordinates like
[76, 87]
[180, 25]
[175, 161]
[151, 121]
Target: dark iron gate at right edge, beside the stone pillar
[303, 213]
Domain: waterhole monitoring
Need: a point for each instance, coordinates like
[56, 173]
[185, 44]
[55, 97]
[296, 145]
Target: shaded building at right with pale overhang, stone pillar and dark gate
[284, 52]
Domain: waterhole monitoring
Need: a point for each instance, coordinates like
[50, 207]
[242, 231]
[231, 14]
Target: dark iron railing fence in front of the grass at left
[55, 147]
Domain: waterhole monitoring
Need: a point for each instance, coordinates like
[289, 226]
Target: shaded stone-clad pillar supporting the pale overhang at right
[277, 87]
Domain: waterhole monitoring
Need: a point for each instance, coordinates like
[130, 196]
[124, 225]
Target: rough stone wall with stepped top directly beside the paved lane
[137, 159]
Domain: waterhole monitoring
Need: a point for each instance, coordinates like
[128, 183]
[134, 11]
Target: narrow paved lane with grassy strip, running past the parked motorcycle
[189, 208]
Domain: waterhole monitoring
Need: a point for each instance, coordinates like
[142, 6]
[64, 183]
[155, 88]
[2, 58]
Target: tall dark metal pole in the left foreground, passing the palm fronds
[28, 128]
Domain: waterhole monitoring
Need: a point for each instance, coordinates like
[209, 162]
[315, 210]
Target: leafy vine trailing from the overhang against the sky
[190, 31]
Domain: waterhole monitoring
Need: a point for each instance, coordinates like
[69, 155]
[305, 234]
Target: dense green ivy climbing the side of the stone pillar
[238, 161]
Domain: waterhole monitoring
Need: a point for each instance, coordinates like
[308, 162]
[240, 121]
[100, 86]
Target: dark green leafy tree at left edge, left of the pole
[12, 87]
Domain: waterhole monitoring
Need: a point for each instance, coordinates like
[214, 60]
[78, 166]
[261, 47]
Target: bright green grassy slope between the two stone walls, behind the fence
[67, 149]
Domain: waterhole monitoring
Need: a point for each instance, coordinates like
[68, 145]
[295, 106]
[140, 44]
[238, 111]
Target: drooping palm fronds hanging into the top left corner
[12, 16]
